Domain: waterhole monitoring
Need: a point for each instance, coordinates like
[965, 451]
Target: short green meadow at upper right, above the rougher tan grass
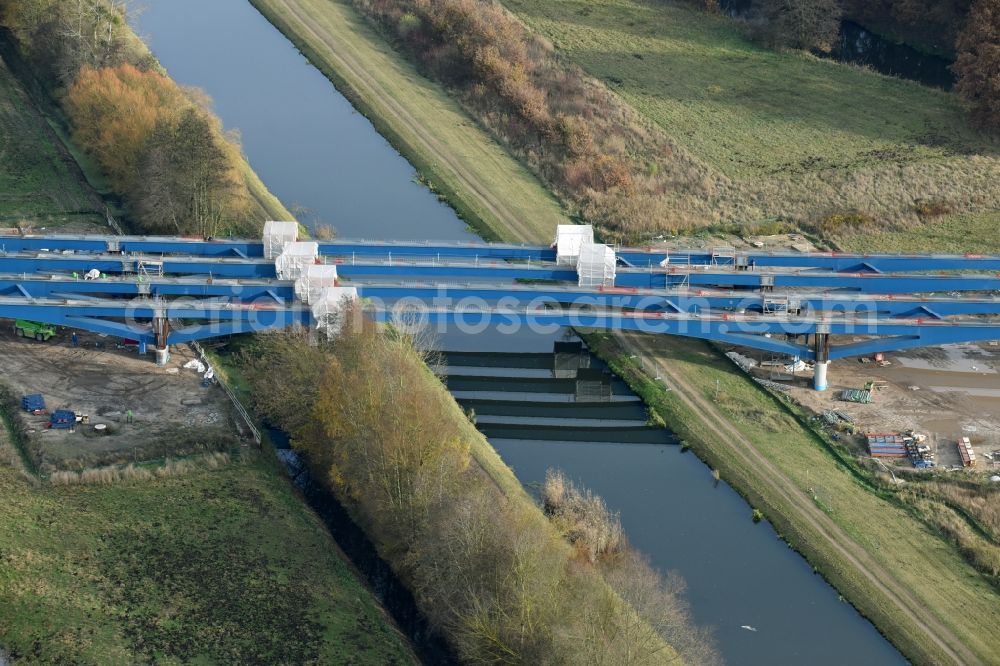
[749, 111]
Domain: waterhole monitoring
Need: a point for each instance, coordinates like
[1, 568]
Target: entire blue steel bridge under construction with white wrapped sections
[160, 291]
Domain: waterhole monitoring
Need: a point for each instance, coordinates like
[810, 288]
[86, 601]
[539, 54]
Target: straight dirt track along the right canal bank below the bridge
[770, 475]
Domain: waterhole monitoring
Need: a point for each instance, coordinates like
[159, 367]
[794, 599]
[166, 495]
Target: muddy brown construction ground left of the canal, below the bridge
[173, 413]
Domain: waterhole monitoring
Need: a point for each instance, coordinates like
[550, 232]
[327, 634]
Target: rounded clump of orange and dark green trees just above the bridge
[166, 154]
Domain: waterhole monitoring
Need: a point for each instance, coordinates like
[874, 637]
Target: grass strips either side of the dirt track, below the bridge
[902, 543]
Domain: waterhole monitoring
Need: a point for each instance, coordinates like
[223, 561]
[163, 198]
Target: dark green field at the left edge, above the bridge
[37, 181]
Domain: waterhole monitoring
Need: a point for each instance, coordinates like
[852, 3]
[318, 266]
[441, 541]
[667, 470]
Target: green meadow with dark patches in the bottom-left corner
[216, 566]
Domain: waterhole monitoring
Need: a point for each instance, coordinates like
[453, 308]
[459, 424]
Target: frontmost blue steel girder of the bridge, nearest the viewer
[129, 319]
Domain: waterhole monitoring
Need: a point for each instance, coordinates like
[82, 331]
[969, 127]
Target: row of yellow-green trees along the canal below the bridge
[486, 567]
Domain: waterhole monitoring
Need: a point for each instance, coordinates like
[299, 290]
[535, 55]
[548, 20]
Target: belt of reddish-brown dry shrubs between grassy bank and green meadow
[593, 150]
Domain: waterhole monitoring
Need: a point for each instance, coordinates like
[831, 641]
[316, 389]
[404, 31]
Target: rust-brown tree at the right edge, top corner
[978, 63]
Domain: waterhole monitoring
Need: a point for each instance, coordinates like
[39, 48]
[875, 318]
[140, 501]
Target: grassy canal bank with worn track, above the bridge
[489, 189]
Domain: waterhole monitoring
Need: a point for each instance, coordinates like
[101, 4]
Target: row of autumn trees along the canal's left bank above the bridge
[160, 146]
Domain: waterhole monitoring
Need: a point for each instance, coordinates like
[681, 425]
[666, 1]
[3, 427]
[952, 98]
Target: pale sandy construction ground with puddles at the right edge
[944, 392]
